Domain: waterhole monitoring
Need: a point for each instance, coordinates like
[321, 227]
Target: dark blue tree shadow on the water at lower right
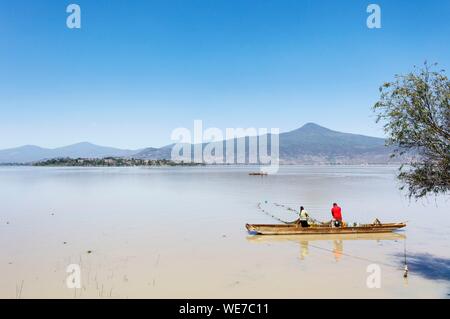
[427, 265]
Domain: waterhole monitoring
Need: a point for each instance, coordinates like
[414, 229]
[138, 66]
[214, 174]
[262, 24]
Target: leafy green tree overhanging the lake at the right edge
[415, 111]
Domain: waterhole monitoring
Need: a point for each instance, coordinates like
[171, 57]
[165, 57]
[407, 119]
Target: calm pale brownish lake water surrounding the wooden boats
[180, 233]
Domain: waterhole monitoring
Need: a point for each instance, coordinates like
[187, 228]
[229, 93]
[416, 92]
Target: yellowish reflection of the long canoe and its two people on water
[336, 239]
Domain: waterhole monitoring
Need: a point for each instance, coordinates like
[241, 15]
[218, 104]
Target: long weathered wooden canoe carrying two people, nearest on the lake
[294, 229]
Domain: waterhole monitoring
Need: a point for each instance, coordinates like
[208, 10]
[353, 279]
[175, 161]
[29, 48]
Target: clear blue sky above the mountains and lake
[138, 69]
